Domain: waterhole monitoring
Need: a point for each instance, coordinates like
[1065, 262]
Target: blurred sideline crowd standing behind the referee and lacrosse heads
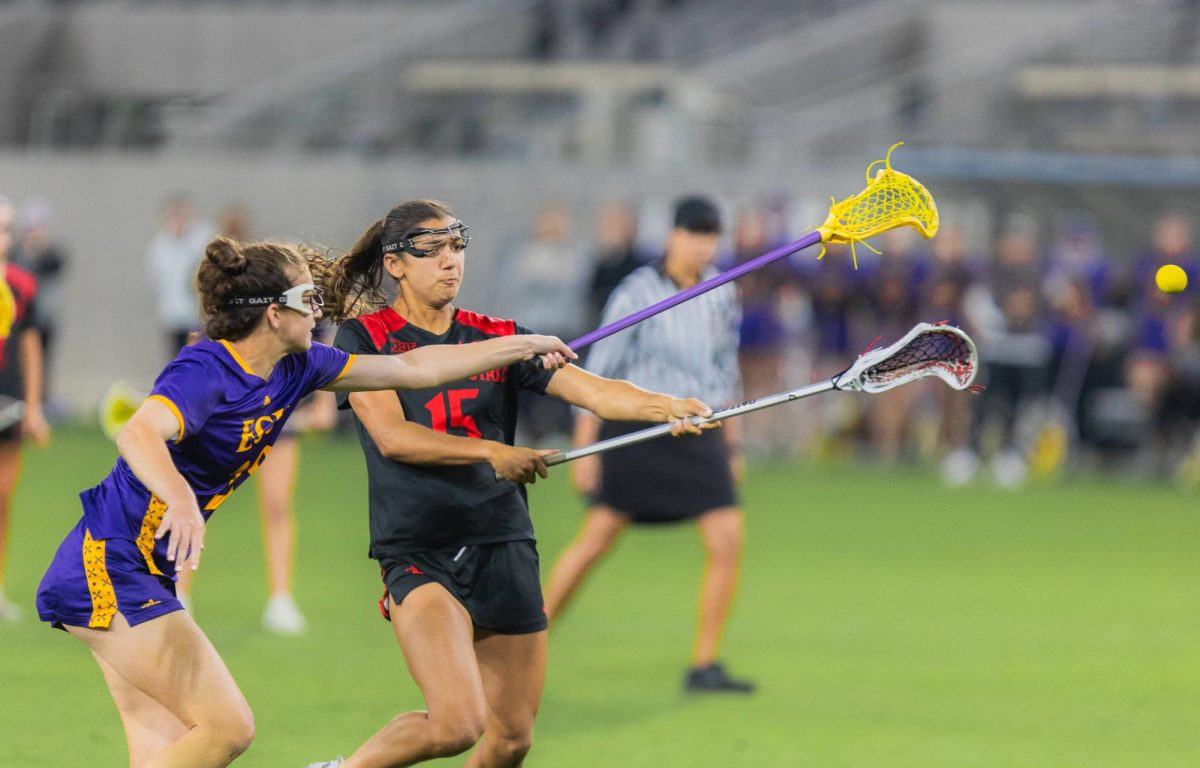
[1084, 363]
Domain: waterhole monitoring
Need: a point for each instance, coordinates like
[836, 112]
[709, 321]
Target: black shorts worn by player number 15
[499, 584]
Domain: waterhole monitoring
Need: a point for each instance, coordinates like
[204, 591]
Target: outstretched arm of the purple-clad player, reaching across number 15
[433, 367]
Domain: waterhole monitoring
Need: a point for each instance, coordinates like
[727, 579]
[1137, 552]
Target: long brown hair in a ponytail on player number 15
[353, 284]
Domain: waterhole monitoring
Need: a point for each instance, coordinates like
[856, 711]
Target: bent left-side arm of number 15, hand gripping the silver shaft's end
[403, 441]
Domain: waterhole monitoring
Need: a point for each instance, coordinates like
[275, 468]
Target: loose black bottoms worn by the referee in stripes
[668, 479]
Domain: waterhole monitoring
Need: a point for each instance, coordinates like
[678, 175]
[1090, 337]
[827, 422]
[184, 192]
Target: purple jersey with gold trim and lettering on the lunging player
[229, 419]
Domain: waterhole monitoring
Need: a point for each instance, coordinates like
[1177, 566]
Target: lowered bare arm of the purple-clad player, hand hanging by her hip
[143, 443]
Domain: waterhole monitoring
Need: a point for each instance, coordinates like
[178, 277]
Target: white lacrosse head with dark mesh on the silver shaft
[928, 350]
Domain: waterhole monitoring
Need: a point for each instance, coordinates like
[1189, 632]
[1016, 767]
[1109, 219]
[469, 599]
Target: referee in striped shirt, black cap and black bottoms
[691, 350]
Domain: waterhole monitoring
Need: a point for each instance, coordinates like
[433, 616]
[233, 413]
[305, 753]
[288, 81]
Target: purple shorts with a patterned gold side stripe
[93, 580]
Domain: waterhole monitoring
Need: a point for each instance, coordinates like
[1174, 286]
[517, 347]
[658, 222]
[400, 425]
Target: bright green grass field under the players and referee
[889, 622]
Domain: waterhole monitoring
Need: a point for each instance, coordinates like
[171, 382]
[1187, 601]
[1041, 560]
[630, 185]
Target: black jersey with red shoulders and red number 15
[418, 508]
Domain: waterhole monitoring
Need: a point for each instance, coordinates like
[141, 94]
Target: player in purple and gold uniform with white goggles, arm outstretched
[208, 425]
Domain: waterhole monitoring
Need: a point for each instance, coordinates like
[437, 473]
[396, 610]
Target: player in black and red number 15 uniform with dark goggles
[455, 544]
